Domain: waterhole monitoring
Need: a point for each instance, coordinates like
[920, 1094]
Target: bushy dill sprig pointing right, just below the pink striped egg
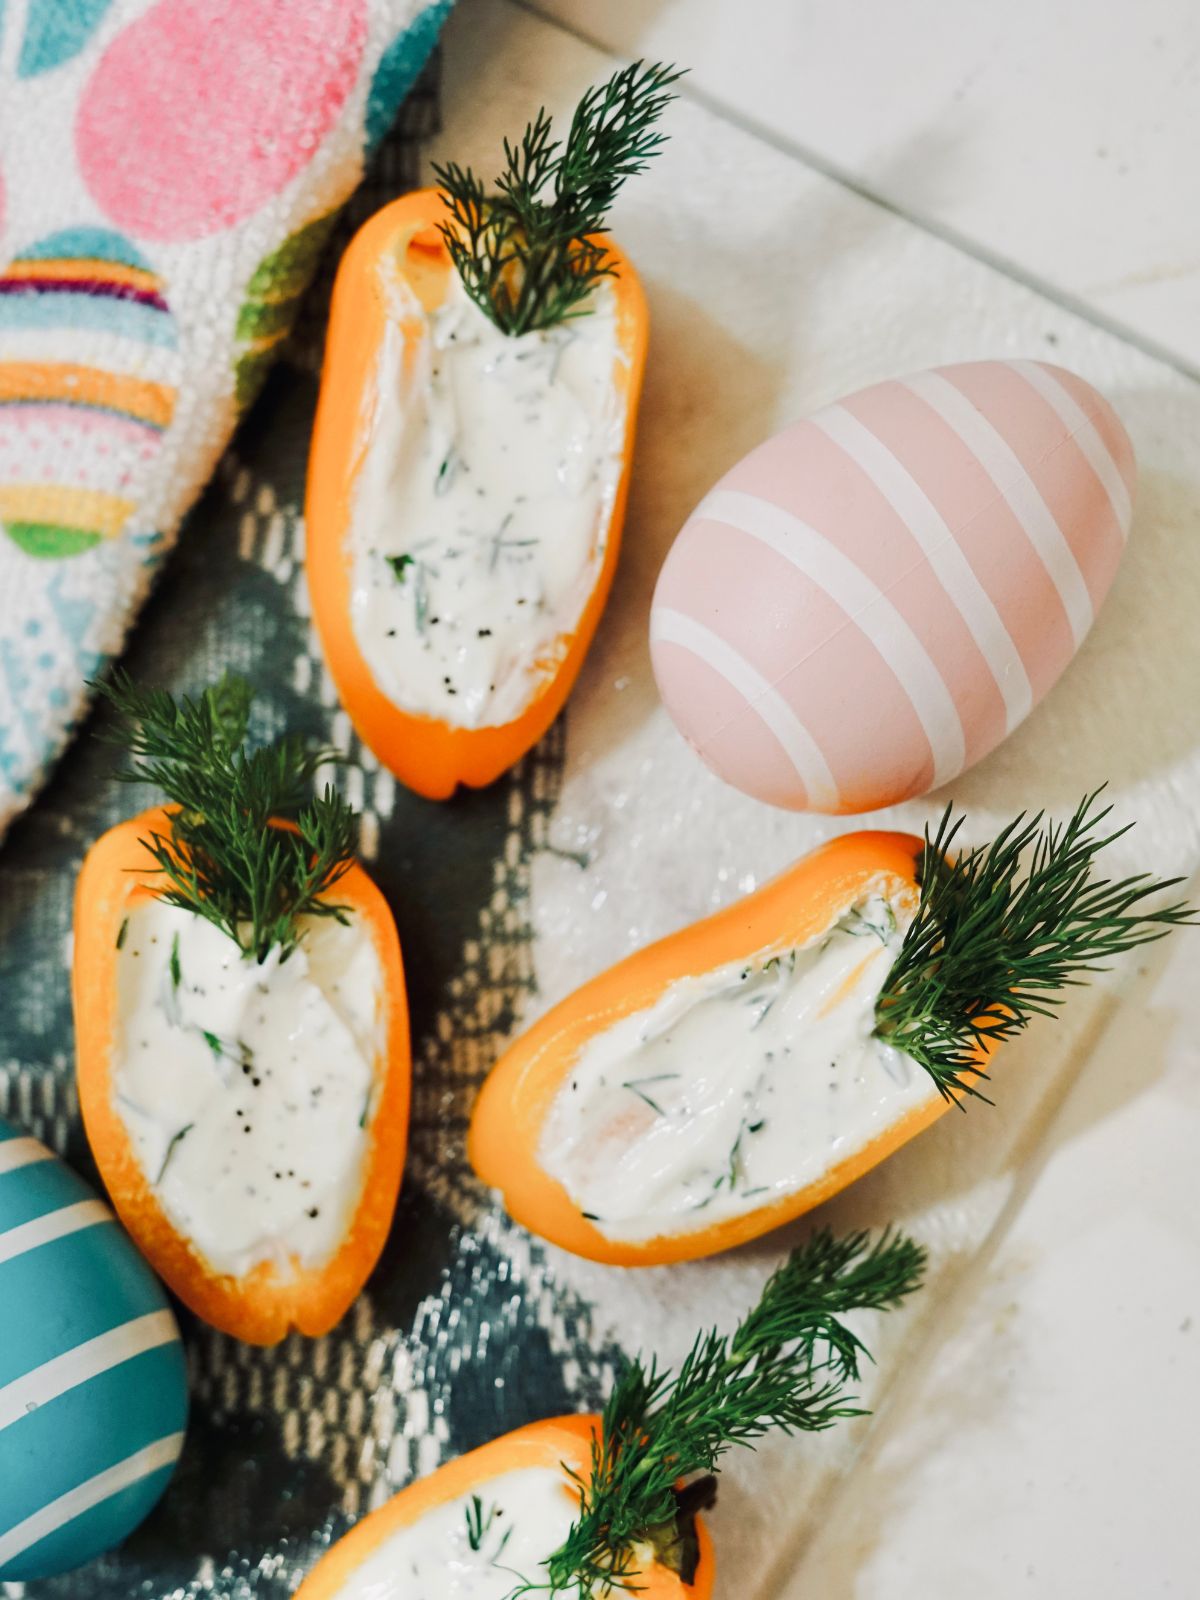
[993, 946]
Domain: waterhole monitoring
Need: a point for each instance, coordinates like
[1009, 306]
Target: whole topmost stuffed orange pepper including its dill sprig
[471, 454]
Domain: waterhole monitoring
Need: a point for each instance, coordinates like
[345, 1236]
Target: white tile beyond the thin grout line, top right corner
[1057, 135]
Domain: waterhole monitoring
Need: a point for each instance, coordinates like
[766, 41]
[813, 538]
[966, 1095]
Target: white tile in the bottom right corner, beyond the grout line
[1047, 1446]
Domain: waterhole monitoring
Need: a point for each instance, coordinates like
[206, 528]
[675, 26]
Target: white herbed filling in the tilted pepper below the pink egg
[738, 1087]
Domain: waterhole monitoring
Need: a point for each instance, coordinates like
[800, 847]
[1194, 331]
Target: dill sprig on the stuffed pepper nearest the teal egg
[222, 857]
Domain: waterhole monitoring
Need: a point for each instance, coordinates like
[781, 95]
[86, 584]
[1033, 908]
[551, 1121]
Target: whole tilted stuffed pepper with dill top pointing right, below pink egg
[748, 1068]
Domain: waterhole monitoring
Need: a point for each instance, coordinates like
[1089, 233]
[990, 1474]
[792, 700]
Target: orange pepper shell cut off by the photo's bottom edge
[566, 1441]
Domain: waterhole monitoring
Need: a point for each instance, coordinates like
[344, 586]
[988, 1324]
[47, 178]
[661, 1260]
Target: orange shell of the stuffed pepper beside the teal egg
[263, 1305]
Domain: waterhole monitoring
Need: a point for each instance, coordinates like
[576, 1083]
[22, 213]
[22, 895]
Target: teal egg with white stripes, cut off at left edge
[94, 1388]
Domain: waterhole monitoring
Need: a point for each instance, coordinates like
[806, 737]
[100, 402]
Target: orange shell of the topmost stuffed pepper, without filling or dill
[426, 754]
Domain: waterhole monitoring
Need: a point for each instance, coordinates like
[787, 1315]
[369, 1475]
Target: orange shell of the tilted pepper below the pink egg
[518, 1097]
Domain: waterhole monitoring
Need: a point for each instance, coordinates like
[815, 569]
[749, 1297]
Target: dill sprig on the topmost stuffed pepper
[527, 252]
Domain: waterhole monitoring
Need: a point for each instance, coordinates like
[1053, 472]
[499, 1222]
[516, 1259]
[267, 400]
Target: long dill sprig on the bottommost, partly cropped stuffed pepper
[786, 1367]
